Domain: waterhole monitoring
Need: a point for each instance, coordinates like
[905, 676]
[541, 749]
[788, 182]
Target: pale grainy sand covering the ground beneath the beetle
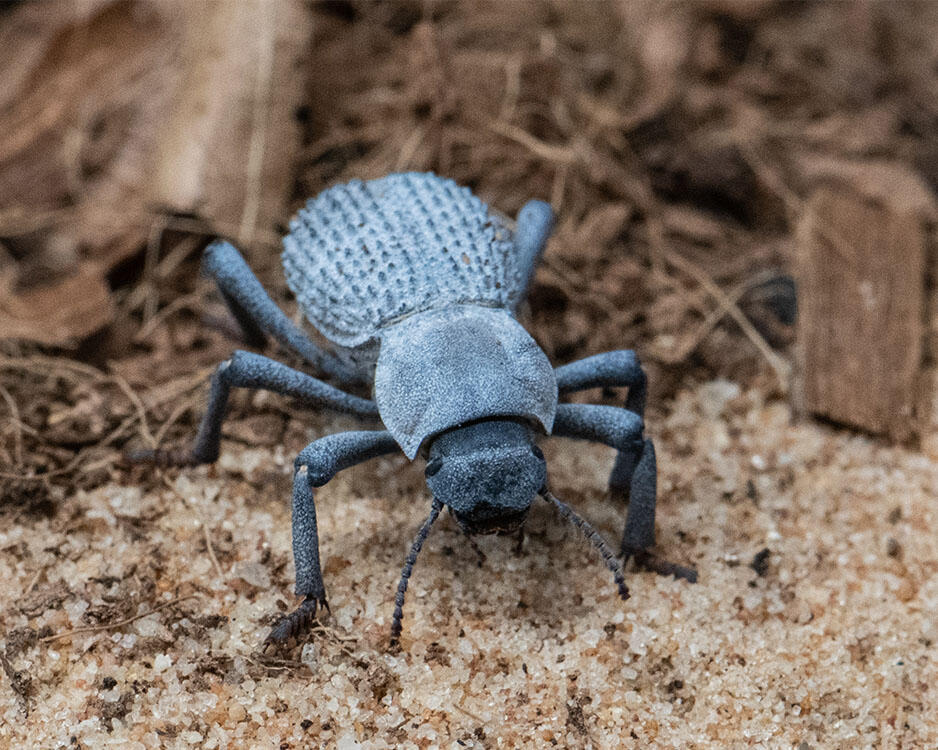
[827, 643]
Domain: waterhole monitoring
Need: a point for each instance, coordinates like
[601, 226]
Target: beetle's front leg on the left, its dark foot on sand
[317, 464]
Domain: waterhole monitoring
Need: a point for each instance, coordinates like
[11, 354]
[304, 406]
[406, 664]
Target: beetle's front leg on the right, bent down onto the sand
[623, 429]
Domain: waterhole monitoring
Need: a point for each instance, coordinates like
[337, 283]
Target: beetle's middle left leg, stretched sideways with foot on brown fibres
[249, 370]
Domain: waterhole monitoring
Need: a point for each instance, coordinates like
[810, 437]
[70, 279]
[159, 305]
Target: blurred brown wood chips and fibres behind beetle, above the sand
[744, 191]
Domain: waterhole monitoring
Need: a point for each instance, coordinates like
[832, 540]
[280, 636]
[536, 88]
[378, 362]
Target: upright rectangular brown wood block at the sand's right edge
[861, 281]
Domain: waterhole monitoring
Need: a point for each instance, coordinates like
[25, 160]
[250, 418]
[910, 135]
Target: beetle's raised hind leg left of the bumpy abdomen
[257, 314]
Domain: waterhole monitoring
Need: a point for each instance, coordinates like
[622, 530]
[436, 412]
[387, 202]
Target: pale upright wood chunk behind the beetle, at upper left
[228, 143]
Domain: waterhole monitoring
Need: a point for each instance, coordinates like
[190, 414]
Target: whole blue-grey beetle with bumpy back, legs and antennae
[416, 283]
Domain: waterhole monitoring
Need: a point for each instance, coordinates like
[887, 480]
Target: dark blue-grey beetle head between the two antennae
[487, 473]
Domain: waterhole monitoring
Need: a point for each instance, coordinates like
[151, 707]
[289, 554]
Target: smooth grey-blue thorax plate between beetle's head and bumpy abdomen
[444, 368]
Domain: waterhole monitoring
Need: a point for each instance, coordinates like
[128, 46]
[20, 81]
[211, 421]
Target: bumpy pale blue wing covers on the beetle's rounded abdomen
[363, 254]
